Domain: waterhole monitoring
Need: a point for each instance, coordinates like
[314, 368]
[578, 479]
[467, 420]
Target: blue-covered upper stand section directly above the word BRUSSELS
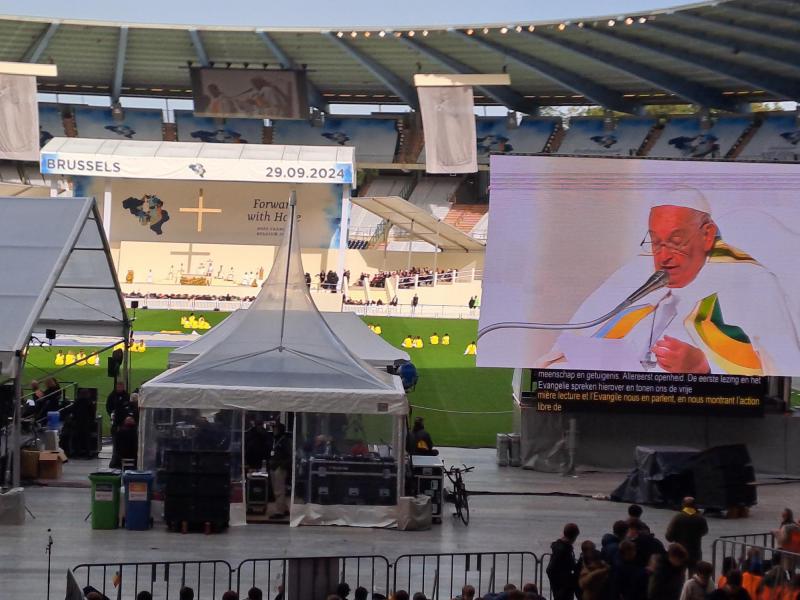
[133, 124]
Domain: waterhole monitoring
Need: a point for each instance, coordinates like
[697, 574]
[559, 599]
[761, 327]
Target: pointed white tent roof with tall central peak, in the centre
[280, 355]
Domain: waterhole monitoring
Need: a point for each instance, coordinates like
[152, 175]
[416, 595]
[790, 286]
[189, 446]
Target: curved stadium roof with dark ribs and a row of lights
[717, 54]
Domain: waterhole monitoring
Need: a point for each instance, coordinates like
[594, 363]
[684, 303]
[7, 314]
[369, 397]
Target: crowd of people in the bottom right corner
[633, 564]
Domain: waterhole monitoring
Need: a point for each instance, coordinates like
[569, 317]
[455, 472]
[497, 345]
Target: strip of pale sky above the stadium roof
[328, 13]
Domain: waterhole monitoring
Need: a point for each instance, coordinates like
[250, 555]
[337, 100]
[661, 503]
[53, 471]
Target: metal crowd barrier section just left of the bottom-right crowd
[441, 576]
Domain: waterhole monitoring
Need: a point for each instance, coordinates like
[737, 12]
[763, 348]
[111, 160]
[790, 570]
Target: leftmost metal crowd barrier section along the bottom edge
[208, 578]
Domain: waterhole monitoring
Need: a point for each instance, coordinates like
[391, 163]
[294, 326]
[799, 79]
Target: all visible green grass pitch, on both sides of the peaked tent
[448, 380]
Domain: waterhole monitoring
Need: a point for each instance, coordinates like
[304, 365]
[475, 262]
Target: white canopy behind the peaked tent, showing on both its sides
[355, 335]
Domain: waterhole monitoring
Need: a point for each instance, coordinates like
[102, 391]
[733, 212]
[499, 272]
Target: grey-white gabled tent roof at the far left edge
[56, 273]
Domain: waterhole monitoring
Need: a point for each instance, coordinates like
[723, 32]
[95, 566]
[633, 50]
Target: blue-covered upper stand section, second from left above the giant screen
[599, 136]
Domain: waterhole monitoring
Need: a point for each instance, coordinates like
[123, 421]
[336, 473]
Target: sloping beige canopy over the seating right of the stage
[420, 223]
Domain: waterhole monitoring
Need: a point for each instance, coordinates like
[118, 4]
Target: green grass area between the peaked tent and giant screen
[450, 381]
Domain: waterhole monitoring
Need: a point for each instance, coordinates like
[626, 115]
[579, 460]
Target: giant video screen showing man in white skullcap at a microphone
[568, 241]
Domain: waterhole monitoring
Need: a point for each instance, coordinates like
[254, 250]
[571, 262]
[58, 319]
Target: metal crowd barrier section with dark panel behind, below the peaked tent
[273, 575]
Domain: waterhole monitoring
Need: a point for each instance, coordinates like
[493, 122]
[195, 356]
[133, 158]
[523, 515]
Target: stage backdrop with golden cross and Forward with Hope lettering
[232, 213]
